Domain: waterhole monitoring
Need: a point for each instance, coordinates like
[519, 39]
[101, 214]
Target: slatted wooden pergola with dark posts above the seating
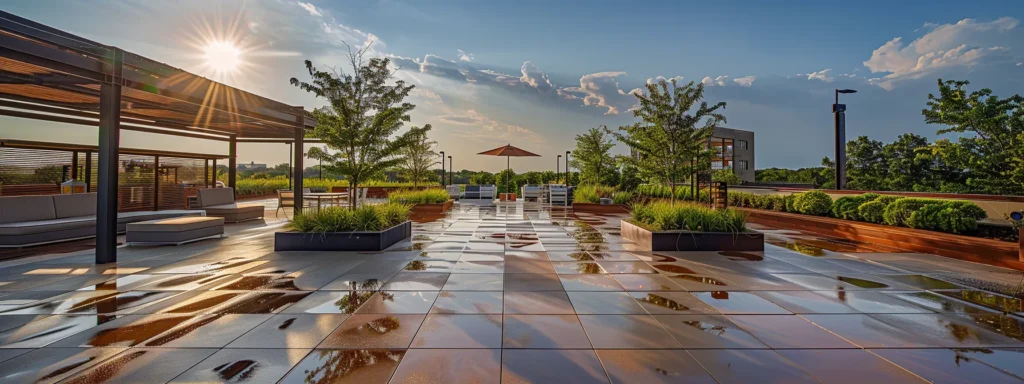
[49, 74]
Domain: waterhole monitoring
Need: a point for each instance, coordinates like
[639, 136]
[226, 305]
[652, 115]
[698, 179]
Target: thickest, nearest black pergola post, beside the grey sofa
[110, 140]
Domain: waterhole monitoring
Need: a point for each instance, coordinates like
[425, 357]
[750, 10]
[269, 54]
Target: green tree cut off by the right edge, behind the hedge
[993, 152]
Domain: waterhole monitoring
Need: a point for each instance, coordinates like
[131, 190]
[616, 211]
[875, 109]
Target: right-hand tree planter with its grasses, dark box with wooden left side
[685, 227]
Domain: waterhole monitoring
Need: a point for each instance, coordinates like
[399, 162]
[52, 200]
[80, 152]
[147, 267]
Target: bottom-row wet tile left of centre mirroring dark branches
[354, 366]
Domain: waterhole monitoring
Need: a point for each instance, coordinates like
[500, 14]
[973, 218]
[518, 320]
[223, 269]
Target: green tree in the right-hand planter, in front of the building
[671, 141]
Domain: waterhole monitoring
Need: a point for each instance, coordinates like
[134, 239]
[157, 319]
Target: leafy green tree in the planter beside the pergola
[363, 118]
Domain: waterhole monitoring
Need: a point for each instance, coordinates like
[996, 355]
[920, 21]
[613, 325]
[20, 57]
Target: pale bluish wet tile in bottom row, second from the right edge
[945, 366]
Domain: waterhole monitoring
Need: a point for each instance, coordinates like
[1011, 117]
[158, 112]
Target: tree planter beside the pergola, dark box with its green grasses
[338, 229]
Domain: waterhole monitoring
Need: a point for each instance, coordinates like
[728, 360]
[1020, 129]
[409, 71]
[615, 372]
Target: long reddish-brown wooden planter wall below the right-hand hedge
[987, 251]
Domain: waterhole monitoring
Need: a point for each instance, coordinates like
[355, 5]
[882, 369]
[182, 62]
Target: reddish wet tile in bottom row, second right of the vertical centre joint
[653, 367]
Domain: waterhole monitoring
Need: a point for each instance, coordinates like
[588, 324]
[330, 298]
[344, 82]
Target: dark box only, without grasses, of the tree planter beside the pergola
[360, 241]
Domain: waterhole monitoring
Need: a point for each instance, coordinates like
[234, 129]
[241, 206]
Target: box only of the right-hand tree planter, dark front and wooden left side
[690, 241]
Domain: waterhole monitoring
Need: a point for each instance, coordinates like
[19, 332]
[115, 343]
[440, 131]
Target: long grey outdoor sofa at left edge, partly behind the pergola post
[32, 221]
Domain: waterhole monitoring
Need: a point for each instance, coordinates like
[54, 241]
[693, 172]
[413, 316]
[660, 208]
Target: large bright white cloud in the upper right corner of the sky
[961, 45]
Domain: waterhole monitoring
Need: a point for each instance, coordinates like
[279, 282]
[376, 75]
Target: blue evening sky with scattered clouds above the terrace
[537, 73]
